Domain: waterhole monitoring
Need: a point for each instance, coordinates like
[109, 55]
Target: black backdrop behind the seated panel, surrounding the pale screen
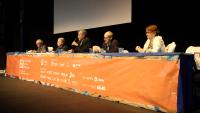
[23, 21]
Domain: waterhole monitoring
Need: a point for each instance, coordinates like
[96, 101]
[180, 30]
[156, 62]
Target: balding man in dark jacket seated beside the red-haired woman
[109, 45]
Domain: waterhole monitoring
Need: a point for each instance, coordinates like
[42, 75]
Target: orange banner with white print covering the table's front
[147, 82]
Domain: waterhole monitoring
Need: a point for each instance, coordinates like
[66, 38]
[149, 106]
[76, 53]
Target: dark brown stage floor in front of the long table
[17, 96]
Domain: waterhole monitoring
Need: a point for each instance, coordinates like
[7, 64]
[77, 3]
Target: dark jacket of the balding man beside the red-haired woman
[111, 47]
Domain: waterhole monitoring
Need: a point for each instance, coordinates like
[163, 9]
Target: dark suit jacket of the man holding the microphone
[83, 46]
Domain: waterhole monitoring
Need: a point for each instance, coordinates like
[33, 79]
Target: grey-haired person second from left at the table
[61, 45]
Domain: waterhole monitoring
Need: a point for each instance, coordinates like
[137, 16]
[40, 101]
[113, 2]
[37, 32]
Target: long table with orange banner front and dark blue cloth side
[157, 81]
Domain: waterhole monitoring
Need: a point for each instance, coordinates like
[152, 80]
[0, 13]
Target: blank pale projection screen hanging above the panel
[72, 15]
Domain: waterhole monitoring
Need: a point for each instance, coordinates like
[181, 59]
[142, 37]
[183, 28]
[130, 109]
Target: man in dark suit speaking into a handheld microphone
[82, 43]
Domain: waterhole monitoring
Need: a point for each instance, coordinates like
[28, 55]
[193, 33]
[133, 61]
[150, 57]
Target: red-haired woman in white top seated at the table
[154, 42]
